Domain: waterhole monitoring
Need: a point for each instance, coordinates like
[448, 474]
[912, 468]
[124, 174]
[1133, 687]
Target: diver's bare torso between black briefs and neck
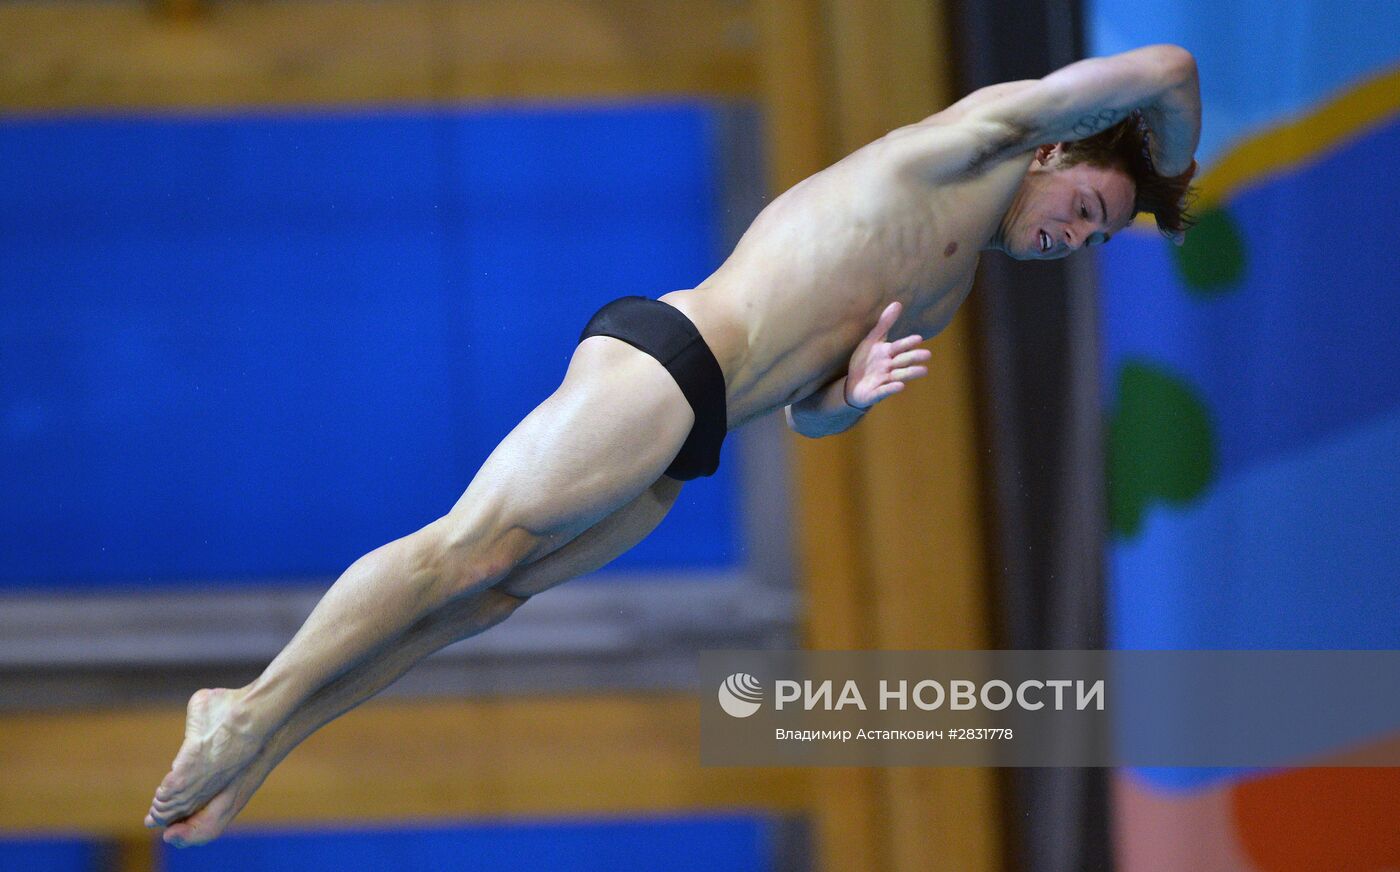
[821, 262]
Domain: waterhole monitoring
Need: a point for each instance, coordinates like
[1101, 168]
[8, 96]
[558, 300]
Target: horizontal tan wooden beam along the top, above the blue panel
[129, 55]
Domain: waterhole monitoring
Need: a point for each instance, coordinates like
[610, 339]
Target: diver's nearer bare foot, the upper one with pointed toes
[220, 741]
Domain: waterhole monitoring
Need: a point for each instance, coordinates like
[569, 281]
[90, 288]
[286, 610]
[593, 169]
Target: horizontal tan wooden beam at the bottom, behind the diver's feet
[94, 772]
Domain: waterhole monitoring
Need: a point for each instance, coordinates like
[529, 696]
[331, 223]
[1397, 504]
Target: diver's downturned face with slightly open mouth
[1063, 209]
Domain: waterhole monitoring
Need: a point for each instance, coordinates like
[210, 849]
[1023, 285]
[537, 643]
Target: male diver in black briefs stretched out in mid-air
[881, 244]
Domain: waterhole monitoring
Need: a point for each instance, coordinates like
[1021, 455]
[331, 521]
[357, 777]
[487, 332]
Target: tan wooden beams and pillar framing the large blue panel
[890, 520]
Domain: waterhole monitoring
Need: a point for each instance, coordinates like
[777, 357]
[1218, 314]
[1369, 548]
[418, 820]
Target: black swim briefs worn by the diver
[664, 332]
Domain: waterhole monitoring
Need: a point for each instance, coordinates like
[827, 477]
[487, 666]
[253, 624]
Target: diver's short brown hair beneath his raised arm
[1126, 146]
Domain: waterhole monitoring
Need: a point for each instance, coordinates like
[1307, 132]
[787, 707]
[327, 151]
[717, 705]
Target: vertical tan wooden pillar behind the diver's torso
[890, 516]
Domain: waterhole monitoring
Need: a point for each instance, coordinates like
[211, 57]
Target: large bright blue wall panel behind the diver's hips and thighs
[248, 348]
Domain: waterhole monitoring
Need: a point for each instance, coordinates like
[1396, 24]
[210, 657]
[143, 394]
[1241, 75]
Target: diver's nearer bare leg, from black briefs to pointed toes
[593, 447]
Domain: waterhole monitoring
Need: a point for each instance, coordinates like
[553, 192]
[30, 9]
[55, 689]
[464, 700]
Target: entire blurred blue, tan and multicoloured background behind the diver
[276, 275]
